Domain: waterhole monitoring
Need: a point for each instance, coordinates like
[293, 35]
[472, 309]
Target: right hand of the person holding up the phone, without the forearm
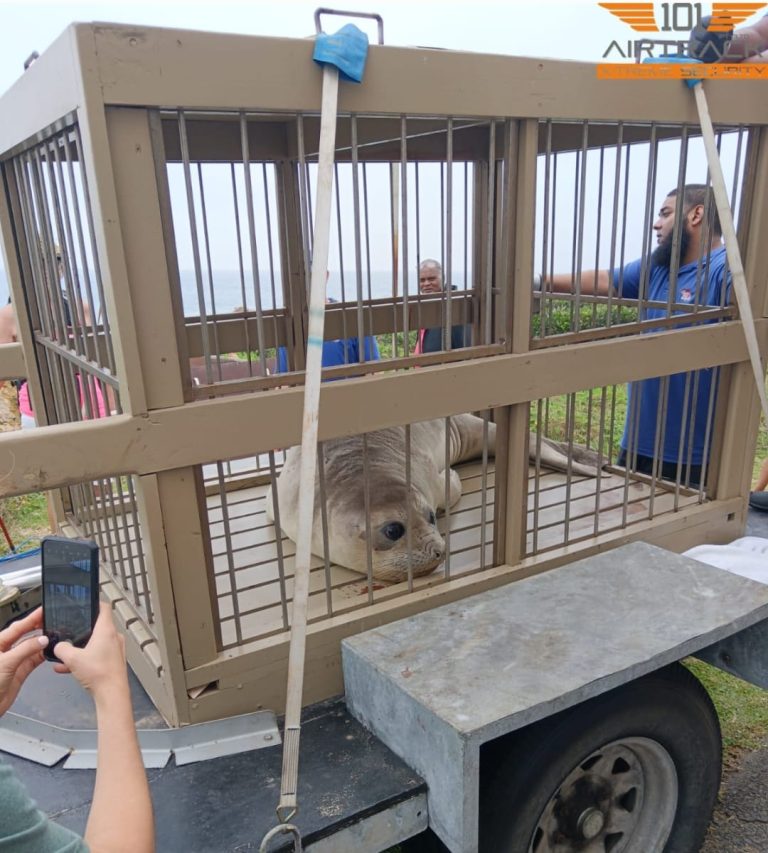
[100, 666]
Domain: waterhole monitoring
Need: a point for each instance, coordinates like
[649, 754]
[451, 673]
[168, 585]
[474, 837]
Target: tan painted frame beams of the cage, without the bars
[115, 79]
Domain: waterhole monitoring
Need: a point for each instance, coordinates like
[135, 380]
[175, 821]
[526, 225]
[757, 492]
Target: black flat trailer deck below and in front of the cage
[355, 794]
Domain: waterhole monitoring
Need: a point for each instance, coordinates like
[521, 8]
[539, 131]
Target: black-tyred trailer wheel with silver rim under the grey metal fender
[633, 771]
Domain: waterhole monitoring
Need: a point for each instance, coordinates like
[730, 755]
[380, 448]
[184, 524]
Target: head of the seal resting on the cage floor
[402, 527]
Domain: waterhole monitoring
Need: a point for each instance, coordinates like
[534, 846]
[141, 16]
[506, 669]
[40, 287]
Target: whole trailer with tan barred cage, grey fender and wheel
[525, 693]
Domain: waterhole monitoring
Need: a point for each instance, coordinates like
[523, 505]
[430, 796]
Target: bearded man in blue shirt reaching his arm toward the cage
[665, 430]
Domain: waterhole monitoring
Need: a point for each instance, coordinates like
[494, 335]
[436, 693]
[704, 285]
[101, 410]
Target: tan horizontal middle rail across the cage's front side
[180, 436]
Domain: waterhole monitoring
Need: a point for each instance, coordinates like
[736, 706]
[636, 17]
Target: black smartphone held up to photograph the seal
[70, 591]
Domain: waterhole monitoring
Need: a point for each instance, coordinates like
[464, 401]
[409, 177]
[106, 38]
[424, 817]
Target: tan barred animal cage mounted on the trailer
[157, 223]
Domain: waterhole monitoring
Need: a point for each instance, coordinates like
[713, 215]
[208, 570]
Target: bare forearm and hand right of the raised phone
[121, 812]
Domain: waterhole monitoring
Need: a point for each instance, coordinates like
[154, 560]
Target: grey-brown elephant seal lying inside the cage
[392, 506]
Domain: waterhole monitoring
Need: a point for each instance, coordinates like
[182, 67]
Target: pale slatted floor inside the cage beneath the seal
[245, 547]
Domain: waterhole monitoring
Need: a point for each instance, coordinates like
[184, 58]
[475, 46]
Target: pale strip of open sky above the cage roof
[577, 29]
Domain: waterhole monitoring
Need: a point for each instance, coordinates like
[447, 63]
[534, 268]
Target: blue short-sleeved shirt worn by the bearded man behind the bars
[686, 411]
